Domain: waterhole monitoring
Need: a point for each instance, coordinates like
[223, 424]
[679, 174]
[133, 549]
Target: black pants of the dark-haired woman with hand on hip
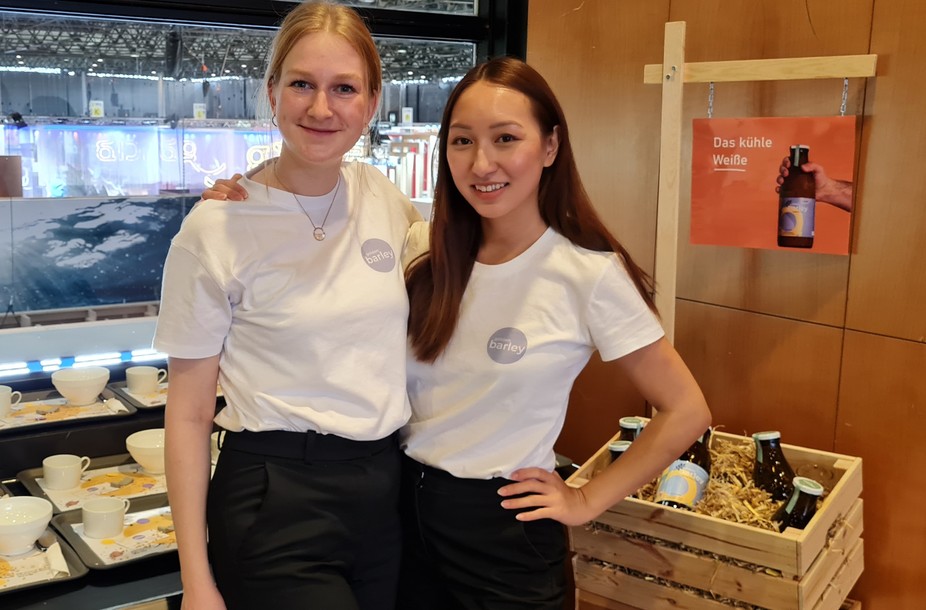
[462, 550]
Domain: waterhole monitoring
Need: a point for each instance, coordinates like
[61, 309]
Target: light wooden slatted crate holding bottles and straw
[689, 561]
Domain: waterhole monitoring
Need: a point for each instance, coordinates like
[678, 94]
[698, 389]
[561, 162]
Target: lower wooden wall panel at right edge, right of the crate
[882, 418]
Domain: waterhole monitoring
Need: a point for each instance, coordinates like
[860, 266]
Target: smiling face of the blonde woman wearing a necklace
[321, 100]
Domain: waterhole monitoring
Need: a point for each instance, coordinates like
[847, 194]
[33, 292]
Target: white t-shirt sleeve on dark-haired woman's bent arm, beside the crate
[619, 320]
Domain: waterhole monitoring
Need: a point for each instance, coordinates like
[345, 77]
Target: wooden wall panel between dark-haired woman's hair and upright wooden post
[592, 53]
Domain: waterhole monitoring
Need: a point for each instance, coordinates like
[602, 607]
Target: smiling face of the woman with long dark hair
[496, 151]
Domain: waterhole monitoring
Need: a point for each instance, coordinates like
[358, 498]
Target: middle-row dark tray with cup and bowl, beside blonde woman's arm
[117, 475]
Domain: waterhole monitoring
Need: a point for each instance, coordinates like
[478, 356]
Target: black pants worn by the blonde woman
[305, 521]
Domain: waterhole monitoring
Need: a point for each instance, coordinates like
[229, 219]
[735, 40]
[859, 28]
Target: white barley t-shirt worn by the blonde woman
[312, 334]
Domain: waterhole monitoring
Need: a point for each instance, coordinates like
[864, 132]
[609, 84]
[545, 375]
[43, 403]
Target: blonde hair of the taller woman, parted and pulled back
[313, 17]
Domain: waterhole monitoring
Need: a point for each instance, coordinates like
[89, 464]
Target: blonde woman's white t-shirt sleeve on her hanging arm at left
[195, 312]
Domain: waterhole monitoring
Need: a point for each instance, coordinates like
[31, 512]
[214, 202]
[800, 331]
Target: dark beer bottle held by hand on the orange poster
[797, 202]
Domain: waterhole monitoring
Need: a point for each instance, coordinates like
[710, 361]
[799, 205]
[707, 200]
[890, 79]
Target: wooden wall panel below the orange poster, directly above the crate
[762, 372]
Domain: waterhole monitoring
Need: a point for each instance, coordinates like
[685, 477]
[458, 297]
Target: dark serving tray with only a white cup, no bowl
[148, 531]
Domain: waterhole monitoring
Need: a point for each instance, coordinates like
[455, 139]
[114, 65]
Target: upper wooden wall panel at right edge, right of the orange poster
[887, 286]
